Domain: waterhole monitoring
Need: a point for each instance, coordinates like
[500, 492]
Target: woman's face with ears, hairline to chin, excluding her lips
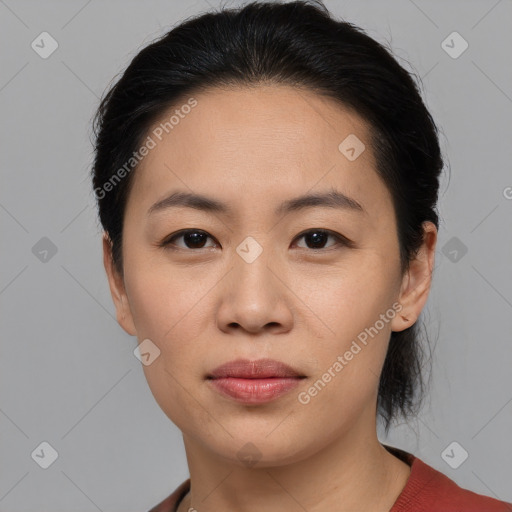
[255, 281]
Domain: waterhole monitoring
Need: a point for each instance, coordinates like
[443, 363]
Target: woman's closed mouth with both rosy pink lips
[254, 382]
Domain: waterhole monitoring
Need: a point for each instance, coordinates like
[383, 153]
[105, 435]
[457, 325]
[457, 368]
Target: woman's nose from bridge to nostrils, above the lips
[254, 297]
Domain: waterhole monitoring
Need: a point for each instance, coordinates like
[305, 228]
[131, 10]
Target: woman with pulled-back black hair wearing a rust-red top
[267, 181]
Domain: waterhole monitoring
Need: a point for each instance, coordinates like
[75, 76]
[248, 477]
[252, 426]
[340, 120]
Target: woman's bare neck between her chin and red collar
[352, 472]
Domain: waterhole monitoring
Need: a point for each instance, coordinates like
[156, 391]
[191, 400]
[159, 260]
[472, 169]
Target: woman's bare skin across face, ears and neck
[253, 148]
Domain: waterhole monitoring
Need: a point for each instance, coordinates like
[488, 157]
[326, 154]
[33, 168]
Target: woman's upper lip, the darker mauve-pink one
[259, 369]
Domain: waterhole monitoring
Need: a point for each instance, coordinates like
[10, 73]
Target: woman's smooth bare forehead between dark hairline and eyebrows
[257, 142]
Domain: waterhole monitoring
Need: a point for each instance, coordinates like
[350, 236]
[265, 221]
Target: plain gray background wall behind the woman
[68, 375]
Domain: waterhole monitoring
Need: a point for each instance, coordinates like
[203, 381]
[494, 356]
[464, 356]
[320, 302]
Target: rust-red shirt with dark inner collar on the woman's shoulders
[426, 490]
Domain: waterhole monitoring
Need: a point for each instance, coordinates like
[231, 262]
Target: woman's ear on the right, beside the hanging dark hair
[416, 281]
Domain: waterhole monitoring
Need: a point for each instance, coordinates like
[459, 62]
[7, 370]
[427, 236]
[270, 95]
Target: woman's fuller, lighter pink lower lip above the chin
[255, 391]
